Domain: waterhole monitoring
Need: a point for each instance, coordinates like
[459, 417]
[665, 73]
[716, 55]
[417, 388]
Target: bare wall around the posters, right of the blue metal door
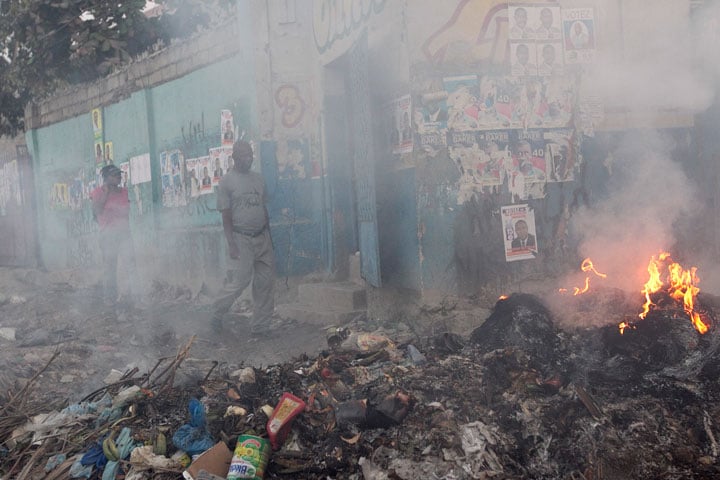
[458, 223]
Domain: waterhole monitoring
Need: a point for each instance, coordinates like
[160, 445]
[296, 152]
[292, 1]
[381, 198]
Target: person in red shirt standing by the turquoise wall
[111, 208]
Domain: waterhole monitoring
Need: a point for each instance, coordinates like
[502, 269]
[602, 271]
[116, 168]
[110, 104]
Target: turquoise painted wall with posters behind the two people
[172, 142]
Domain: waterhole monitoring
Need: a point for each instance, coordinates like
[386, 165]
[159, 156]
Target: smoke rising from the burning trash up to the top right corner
[662, 61]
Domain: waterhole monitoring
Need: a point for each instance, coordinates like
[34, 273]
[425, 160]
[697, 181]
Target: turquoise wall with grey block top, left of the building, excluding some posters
[168, 102]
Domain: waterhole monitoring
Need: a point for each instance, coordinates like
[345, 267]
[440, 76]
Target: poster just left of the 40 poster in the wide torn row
[462, 102]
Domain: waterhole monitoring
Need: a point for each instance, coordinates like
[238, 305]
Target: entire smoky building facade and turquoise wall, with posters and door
[415, 133]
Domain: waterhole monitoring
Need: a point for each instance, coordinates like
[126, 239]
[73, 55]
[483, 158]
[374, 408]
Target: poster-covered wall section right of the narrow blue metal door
[473, 106]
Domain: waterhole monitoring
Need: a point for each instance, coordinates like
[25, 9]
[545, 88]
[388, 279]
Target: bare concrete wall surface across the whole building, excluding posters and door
[281, 68]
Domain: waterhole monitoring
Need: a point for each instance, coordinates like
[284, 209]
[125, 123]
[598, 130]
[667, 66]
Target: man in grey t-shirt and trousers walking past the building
[241, 201]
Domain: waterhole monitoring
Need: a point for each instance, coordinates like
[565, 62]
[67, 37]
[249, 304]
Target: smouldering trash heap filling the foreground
[519, 398]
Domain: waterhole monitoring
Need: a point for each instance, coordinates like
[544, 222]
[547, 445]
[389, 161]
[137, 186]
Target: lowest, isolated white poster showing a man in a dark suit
[519, 234]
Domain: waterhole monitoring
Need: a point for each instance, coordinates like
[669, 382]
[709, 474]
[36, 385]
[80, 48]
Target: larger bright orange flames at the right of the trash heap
[679, 283]
